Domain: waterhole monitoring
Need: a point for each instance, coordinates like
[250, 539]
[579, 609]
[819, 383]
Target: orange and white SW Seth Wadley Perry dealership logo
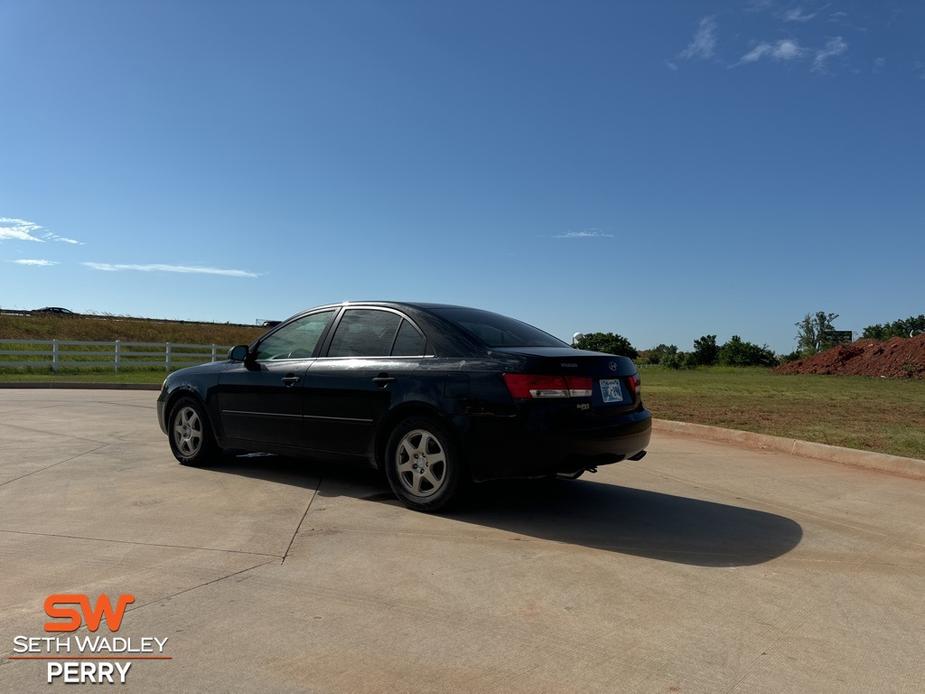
[87, 659]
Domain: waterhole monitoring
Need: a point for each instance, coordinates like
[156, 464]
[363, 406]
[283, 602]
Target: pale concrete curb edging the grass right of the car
[909, 467]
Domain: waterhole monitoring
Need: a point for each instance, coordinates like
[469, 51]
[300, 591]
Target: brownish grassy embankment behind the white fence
[47, 327]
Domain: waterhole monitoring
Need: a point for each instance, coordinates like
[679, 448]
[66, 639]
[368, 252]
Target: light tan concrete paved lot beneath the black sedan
[702, 568]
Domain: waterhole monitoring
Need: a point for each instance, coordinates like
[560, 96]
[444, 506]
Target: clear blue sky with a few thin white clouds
[660, 169]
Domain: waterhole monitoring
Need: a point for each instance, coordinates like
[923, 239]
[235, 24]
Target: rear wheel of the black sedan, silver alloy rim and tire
[423, 464]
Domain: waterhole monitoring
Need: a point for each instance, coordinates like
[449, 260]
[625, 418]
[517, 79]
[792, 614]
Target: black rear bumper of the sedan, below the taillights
[510, 447]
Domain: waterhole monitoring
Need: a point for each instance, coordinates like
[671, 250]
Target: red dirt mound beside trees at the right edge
[897, 357]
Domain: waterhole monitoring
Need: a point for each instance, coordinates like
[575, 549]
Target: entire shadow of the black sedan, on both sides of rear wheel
[581, 512]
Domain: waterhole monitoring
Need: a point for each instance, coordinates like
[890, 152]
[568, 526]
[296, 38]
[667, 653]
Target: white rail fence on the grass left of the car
[77, 354]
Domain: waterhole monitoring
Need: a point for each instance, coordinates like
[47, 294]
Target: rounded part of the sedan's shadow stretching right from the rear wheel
[622, 519]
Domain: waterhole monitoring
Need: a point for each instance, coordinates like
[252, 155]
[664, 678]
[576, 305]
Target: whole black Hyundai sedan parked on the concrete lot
[435, 395]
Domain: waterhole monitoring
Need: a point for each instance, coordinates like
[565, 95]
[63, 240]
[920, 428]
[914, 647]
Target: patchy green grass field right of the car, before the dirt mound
[875, 414]
